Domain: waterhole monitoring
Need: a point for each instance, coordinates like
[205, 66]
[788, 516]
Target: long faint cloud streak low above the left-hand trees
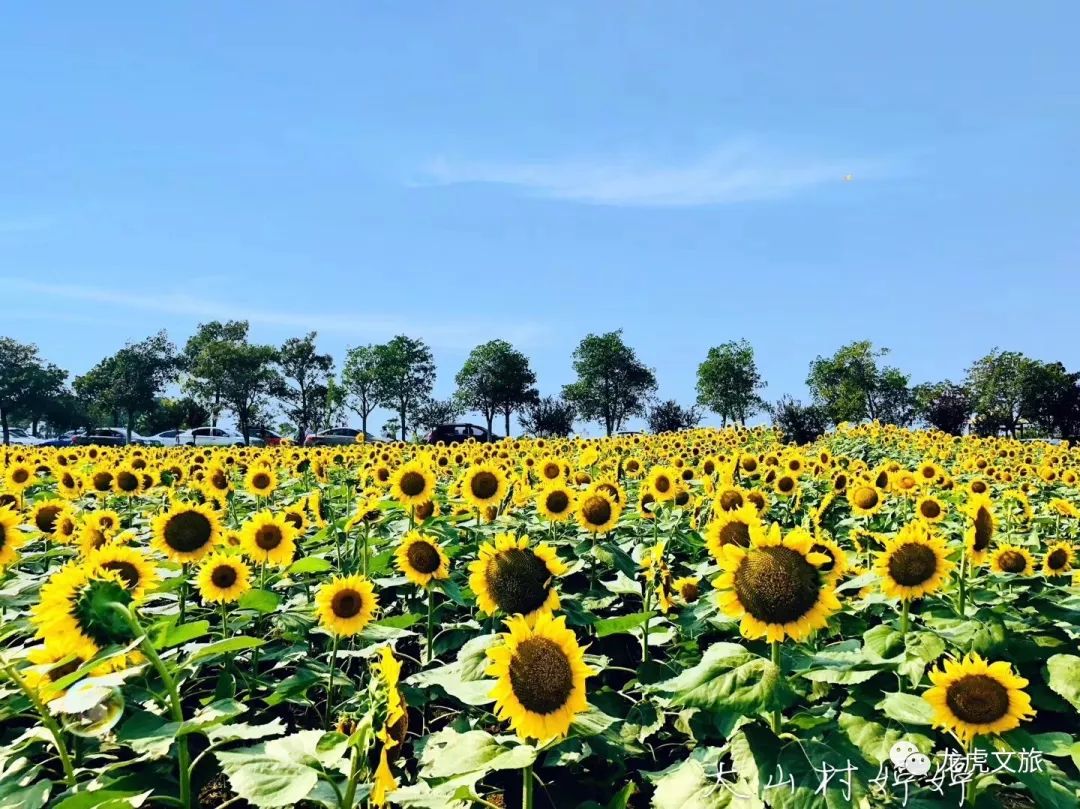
[356, 326]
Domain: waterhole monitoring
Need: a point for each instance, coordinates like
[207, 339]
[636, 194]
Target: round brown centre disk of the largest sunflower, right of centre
[777, 585]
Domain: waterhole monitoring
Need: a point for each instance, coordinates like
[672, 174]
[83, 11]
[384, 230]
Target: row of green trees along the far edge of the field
[221, 372]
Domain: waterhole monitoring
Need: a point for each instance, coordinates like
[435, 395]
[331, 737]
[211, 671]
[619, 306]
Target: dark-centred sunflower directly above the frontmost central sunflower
[514, 577]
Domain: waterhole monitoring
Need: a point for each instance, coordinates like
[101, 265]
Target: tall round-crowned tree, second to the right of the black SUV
[613, 384]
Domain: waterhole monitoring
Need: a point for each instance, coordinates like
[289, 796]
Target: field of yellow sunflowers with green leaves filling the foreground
[688, 621]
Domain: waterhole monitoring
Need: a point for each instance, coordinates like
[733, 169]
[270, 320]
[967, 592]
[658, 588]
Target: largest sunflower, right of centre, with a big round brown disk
[775, 586]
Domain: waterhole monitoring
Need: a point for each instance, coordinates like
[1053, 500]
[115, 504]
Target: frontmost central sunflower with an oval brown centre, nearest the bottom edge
[542, 678]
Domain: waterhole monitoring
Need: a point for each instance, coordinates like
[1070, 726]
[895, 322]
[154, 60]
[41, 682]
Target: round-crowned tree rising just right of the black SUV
[496, 379]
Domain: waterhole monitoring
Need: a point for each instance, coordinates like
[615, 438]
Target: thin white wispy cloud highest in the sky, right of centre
[738, 172]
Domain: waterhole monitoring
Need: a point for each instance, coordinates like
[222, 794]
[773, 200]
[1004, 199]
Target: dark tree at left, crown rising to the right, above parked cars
[128, 383]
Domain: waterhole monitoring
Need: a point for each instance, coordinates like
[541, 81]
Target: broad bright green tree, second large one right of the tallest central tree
[852, 387]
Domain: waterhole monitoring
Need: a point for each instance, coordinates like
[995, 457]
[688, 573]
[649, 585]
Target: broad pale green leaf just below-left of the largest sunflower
[730, 679]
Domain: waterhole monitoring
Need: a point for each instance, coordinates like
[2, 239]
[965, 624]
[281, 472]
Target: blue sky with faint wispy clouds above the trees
[536, 172]
